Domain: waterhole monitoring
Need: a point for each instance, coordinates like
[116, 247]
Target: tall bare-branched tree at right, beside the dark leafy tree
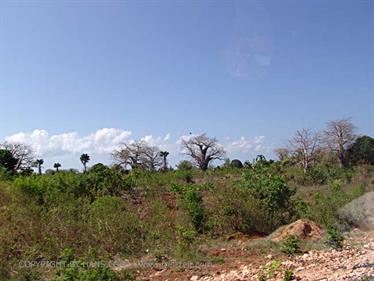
[339, 134]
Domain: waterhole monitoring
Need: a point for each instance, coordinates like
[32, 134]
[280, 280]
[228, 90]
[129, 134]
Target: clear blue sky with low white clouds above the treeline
[247, 72]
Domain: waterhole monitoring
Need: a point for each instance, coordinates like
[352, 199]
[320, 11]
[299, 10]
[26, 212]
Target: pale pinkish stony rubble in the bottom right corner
[354, 262]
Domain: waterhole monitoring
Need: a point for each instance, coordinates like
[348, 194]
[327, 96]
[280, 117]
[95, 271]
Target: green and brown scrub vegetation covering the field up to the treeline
[111, 212]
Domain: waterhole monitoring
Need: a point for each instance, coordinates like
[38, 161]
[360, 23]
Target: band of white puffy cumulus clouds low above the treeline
[66, 146]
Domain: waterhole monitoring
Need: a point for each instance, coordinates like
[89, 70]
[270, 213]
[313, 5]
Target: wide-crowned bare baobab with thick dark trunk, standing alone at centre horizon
[202, 150]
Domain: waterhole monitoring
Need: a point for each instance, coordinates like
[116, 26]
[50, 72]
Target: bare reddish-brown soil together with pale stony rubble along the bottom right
[354, 262]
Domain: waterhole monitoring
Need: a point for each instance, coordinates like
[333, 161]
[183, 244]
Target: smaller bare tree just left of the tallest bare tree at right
[304, 146]
